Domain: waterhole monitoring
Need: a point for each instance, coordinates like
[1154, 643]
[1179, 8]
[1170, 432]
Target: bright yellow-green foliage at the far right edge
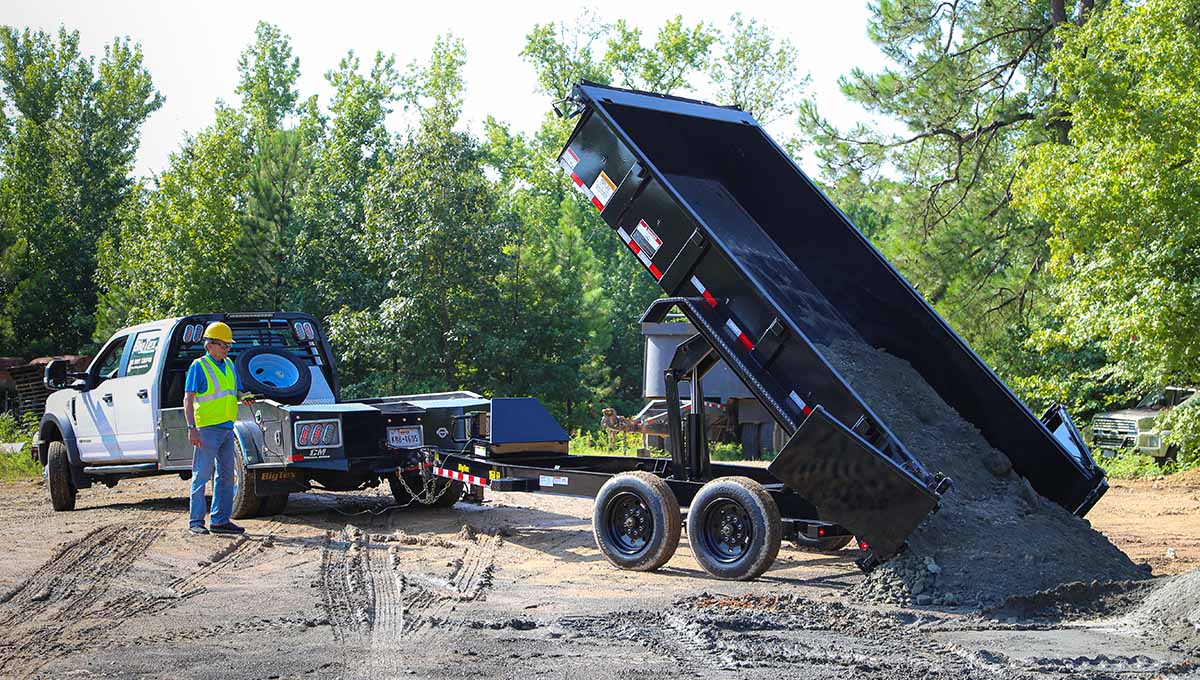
[1123, 190]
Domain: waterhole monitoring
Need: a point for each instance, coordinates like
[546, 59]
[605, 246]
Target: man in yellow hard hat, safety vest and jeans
[211, 407]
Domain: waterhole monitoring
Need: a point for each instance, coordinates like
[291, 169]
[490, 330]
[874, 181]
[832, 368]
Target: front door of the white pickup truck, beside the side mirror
[95, 417]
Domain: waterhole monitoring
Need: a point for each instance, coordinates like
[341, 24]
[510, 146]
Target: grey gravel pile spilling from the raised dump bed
[994, 537]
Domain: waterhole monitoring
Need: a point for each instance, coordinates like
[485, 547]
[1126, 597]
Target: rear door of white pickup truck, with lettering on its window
[135, 393]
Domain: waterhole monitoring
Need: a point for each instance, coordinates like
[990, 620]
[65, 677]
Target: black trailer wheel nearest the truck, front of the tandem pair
[637, 521]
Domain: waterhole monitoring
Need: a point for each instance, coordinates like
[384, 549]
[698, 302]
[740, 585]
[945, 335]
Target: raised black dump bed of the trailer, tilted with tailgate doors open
[770, 273]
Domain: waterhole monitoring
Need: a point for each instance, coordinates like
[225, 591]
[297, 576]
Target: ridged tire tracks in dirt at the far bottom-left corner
[62, 606]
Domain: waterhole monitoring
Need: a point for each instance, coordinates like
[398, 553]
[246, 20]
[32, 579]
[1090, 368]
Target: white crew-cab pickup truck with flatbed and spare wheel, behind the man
[124, 418]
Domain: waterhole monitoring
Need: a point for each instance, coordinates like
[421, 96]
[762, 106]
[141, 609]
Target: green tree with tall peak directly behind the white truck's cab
[223, 213]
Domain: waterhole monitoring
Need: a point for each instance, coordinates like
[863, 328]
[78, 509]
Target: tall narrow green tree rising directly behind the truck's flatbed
[430, 222]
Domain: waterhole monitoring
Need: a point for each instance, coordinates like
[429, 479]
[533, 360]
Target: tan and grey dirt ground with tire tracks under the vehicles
[340, 587]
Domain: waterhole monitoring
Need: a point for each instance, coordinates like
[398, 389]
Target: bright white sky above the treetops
[191, 49]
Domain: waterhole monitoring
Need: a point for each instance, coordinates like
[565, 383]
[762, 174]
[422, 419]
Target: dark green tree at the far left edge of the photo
[69, 141]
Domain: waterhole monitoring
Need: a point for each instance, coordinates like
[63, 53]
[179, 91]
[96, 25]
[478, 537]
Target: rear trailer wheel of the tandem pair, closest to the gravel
[735, 528]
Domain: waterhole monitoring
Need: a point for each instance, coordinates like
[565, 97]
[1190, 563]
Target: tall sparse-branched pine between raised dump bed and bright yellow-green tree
[967, 98]
